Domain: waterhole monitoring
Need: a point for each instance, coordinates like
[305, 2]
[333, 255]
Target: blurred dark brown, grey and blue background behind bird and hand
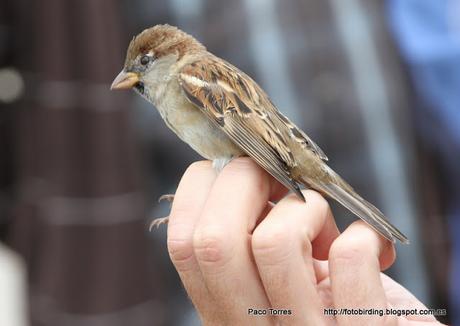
[376, 83]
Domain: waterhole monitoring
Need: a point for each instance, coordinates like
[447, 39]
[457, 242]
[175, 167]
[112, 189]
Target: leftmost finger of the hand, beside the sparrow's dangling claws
[188, 204]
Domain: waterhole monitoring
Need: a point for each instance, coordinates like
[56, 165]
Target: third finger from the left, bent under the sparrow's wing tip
[283, 253]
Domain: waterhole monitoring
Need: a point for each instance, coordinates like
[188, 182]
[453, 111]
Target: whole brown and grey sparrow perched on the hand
[222, 113]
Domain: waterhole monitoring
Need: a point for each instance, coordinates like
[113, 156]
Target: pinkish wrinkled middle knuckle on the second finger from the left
[212, 246]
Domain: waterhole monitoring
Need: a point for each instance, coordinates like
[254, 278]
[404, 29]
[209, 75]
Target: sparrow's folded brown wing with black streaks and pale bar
[244, 112]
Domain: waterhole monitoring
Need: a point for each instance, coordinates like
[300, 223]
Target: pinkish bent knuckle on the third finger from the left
[270, 243]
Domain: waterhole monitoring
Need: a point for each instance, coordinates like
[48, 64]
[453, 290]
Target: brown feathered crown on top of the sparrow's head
[162, 40]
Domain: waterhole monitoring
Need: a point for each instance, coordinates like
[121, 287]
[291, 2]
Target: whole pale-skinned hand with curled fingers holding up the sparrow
[234, 250]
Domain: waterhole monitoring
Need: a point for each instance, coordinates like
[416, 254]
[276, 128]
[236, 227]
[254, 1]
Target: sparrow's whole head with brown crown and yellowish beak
[150, 56]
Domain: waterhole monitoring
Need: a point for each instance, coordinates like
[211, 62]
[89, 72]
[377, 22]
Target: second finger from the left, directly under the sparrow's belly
[238, 197]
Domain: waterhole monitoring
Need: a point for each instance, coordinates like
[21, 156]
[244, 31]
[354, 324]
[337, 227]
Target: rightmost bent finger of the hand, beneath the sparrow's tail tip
[354, 266]
